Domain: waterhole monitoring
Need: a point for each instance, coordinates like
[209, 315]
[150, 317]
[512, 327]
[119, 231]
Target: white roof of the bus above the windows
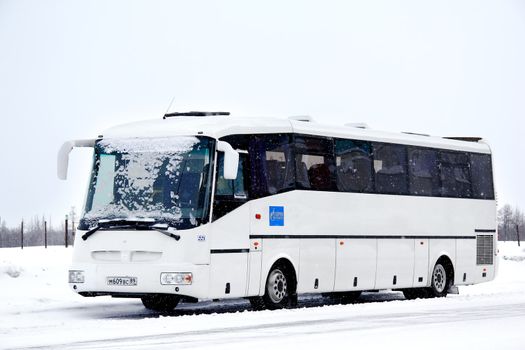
[219, 126]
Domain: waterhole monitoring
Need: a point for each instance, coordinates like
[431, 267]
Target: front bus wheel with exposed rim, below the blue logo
[279, 290]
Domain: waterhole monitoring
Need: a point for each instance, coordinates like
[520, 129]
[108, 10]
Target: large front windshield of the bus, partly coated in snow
[165, 179]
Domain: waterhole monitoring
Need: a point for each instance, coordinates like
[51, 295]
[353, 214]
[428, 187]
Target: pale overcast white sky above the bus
[70, 69]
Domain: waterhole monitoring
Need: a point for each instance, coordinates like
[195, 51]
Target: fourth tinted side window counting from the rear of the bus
[390, 169]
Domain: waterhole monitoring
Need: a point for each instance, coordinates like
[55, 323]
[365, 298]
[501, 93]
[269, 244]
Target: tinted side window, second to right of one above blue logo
[353, 166]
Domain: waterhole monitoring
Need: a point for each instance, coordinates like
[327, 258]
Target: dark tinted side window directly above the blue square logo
[271, 164]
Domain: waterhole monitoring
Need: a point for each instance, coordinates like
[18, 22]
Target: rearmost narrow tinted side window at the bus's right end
[481, 171]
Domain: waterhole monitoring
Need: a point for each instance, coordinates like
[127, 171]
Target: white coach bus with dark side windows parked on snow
[206, 206]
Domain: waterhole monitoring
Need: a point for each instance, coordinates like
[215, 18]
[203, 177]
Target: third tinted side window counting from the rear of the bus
[423, 172]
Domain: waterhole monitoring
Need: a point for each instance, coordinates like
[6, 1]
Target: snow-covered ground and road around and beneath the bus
[38, 310]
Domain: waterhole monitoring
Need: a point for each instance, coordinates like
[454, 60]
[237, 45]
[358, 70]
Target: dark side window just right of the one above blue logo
[314, 163]
